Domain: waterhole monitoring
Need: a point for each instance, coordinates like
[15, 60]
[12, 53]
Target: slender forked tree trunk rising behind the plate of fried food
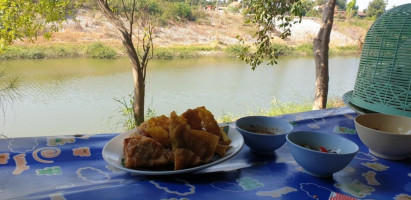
[136, 68]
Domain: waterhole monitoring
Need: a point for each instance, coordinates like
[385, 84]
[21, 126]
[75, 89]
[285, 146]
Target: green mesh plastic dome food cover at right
[383, 82]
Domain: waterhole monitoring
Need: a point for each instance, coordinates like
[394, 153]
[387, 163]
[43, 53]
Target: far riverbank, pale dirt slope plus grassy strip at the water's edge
[215, 34]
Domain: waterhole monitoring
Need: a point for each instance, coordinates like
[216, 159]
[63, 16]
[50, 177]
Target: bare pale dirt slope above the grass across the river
[218, 28]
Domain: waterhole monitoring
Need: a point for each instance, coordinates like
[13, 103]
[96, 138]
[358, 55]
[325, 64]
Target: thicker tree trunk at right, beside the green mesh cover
[321, 48]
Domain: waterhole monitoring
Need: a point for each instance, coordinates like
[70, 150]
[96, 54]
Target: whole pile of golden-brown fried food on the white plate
[180, 142]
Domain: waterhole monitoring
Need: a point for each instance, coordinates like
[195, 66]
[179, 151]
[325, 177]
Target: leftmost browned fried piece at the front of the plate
[144, 152]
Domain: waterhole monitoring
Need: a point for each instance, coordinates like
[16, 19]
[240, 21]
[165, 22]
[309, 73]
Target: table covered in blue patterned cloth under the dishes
[72, 167]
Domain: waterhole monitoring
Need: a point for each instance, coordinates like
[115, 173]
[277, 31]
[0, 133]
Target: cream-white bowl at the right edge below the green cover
[386, 136]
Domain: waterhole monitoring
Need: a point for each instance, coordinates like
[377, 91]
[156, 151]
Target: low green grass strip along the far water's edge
[107, 51]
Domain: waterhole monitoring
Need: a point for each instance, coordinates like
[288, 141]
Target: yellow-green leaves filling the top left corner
[20, 19]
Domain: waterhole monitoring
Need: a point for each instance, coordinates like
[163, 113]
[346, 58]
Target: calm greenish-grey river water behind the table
[77, 96]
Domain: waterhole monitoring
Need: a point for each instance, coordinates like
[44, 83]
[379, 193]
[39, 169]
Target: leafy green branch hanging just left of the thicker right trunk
[265, 15]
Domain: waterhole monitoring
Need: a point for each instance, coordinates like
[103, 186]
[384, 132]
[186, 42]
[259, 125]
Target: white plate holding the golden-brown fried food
[113, 154]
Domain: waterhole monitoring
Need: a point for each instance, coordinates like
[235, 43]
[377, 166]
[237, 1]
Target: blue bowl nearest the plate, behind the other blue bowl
[263, 134]
